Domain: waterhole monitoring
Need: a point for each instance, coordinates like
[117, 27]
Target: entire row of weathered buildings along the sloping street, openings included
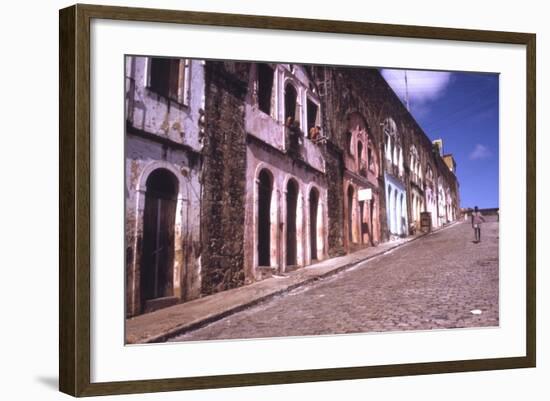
[238, 171]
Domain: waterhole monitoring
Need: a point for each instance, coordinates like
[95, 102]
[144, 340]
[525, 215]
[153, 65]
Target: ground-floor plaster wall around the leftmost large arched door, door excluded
[142, 157]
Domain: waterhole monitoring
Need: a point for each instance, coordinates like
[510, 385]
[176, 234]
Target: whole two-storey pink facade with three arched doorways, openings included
[286, 191]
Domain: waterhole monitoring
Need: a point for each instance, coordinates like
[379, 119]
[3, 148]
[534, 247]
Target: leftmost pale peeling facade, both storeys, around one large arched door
[163, 137]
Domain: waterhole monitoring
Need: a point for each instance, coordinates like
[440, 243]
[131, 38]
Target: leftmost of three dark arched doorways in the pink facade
[265, 189]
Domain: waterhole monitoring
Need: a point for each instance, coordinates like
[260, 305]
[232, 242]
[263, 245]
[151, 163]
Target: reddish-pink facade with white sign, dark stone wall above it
[353, 158]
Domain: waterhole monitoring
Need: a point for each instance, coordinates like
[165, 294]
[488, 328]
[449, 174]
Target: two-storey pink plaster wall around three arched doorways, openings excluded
[269, 147]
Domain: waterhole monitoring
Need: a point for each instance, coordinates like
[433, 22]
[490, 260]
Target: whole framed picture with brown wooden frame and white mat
[250, 200]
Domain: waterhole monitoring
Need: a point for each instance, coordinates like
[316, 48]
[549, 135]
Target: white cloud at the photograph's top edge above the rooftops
[423, 86]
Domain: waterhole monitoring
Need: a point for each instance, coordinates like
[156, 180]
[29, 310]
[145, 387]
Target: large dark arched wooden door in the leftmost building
[159, 218]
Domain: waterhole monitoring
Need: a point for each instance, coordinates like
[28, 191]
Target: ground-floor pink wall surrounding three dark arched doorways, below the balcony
[282, 171]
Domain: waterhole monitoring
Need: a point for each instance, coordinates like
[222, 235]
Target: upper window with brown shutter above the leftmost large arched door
[169, 77]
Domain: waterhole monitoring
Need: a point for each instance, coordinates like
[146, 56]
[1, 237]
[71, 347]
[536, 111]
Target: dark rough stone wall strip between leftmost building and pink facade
[224, 172]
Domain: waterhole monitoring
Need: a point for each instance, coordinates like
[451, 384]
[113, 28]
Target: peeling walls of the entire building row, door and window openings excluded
[217, 144]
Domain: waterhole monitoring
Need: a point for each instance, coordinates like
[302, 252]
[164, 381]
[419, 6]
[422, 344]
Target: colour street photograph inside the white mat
[271, 199]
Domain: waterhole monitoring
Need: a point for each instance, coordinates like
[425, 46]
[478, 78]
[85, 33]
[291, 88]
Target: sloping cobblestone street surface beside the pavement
[432, 283]
